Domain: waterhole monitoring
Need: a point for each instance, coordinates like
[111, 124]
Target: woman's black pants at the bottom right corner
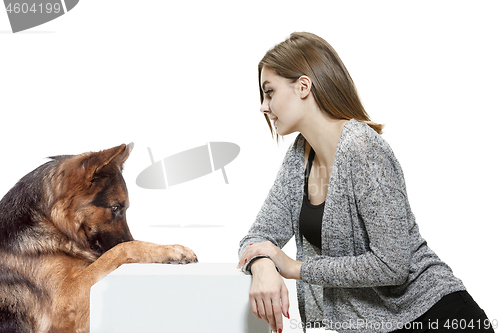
[454, 312]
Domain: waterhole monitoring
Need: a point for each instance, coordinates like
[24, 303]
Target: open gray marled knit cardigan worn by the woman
[374, 272]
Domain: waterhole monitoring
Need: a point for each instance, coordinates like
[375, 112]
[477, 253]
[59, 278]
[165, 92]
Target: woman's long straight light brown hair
[304, 53]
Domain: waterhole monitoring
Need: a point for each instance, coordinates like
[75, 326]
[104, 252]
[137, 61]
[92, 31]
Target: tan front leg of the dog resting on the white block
[71, 310]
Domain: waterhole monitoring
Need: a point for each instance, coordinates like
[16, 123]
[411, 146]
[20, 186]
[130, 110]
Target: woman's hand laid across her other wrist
[289, 268]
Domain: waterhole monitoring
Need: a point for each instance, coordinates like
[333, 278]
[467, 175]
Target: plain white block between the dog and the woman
[174, 298]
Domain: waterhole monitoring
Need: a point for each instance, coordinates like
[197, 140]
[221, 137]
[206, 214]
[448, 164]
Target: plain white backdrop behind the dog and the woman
[175, 75]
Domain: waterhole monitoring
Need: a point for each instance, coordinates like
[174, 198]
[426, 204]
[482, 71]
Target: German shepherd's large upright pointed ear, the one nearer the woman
[95, 163]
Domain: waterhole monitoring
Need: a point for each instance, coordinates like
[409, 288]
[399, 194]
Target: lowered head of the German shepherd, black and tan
[90, 198]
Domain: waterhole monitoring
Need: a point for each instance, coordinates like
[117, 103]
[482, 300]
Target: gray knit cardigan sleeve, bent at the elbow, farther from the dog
[376, 185]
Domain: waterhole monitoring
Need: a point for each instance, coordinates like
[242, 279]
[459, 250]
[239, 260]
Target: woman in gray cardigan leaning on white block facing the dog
[361, 262]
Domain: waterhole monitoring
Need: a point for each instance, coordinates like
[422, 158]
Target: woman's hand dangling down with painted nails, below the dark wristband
[268, 294]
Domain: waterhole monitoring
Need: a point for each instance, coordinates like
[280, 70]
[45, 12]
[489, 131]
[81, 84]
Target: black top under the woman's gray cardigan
[311, 215]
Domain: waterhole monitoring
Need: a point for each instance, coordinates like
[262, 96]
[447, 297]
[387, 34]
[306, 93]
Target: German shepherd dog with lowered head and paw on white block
[63, 228]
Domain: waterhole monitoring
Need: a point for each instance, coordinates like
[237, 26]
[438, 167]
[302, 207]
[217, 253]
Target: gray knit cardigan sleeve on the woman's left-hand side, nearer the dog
[274, 220]
